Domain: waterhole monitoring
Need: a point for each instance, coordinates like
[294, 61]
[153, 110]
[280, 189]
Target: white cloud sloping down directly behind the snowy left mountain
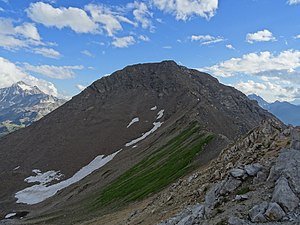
[10, 73]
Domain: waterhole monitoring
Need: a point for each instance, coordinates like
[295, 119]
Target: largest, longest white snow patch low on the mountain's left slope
[40, 192]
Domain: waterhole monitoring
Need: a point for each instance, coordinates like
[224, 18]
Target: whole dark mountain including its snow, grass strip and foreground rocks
[147, 145]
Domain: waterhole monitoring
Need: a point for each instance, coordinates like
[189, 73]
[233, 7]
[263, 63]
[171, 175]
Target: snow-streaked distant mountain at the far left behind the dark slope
[22, 104]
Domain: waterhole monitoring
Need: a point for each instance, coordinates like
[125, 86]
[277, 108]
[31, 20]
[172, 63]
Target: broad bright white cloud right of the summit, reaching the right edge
[258, 64]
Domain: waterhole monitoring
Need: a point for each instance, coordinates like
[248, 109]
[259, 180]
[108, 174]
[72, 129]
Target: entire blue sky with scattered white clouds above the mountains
[63, 46]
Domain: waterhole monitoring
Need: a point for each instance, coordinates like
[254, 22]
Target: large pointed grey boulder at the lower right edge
[284, 196]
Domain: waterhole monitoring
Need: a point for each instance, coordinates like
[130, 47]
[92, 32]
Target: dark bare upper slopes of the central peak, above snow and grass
[94, 122]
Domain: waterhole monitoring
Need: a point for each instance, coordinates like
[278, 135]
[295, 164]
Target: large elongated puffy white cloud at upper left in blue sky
[74, 18]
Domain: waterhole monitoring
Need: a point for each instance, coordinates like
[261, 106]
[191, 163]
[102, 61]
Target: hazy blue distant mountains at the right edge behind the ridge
[285, 111]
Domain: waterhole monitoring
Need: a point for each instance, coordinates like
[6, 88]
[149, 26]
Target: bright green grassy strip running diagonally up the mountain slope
[157, 171]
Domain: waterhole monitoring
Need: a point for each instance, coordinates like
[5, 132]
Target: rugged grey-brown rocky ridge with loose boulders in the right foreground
[255, 181]
